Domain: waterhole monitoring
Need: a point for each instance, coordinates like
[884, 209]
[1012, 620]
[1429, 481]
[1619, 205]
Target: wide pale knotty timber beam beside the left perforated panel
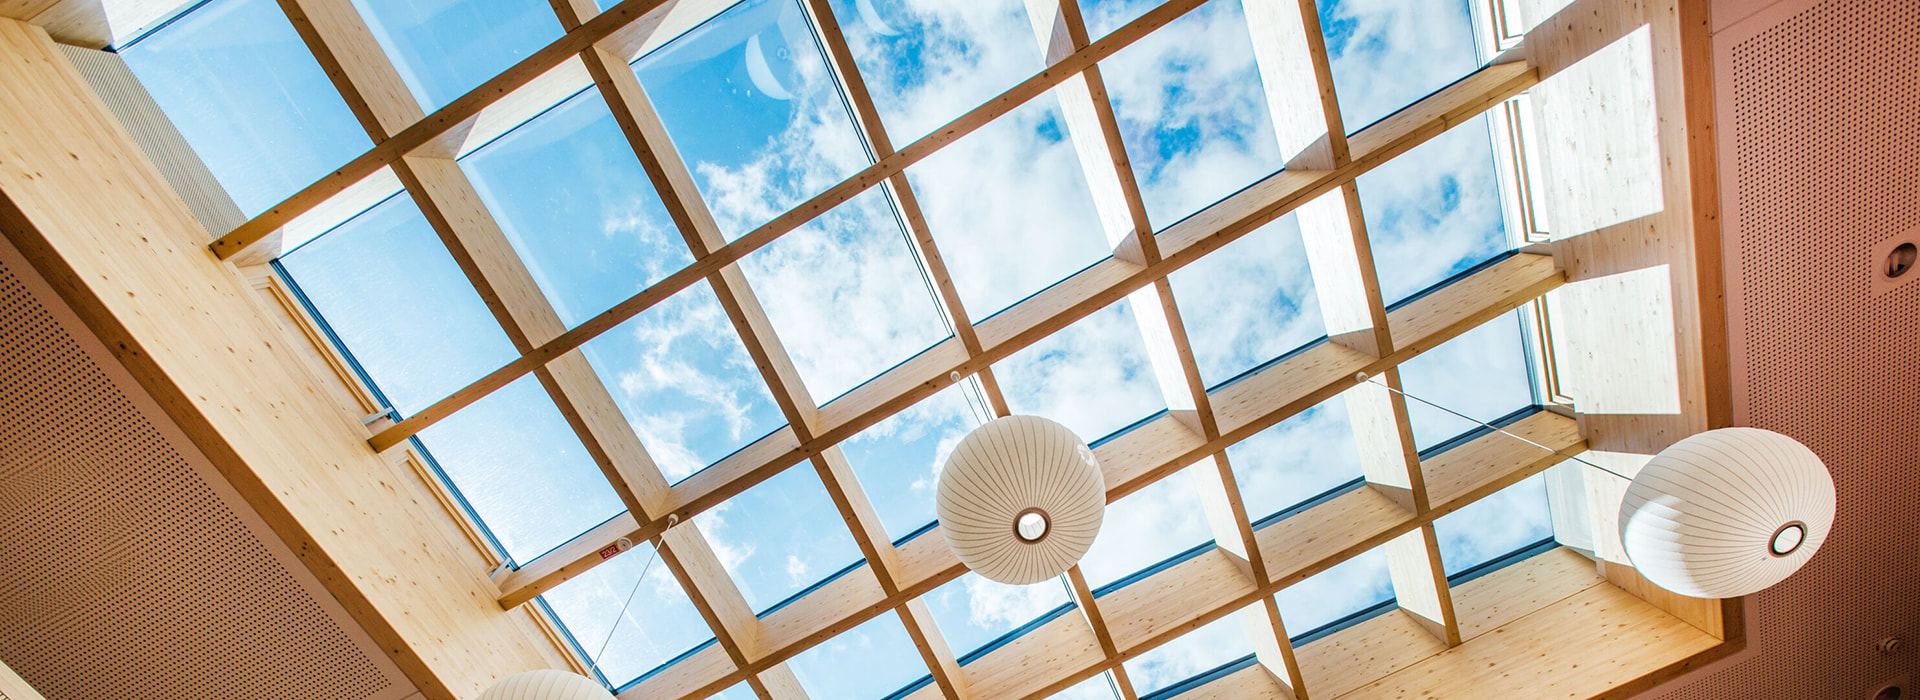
[193, 333]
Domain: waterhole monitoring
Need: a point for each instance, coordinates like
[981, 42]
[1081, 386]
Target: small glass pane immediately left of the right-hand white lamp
[1495, 526]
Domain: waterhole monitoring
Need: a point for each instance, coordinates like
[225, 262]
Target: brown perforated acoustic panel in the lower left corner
[128, 567]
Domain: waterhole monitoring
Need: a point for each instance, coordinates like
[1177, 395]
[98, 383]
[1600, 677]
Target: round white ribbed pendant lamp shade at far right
[1727, 513]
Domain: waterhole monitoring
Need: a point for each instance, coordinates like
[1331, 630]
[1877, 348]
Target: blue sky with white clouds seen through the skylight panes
[757, 116]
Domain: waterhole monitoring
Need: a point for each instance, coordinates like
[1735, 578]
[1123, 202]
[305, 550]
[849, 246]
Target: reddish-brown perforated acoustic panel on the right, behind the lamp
[1819, 133]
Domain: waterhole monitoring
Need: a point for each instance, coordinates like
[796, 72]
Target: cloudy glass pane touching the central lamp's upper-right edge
[1092, 377]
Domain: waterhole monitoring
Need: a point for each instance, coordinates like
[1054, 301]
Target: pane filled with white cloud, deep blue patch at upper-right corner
[1009, 208]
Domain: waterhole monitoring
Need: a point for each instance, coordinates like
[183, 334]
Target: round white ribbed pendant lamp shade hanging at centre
[1020, 500]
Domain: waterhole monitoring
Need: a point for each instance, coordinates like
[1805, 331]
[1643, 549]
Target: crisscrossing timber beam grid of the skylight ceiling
[1245, 569]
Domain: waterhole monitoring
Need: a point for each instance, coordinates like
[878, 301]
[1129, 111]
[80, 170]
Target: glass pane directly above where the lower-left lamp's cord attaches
[686, 383]
